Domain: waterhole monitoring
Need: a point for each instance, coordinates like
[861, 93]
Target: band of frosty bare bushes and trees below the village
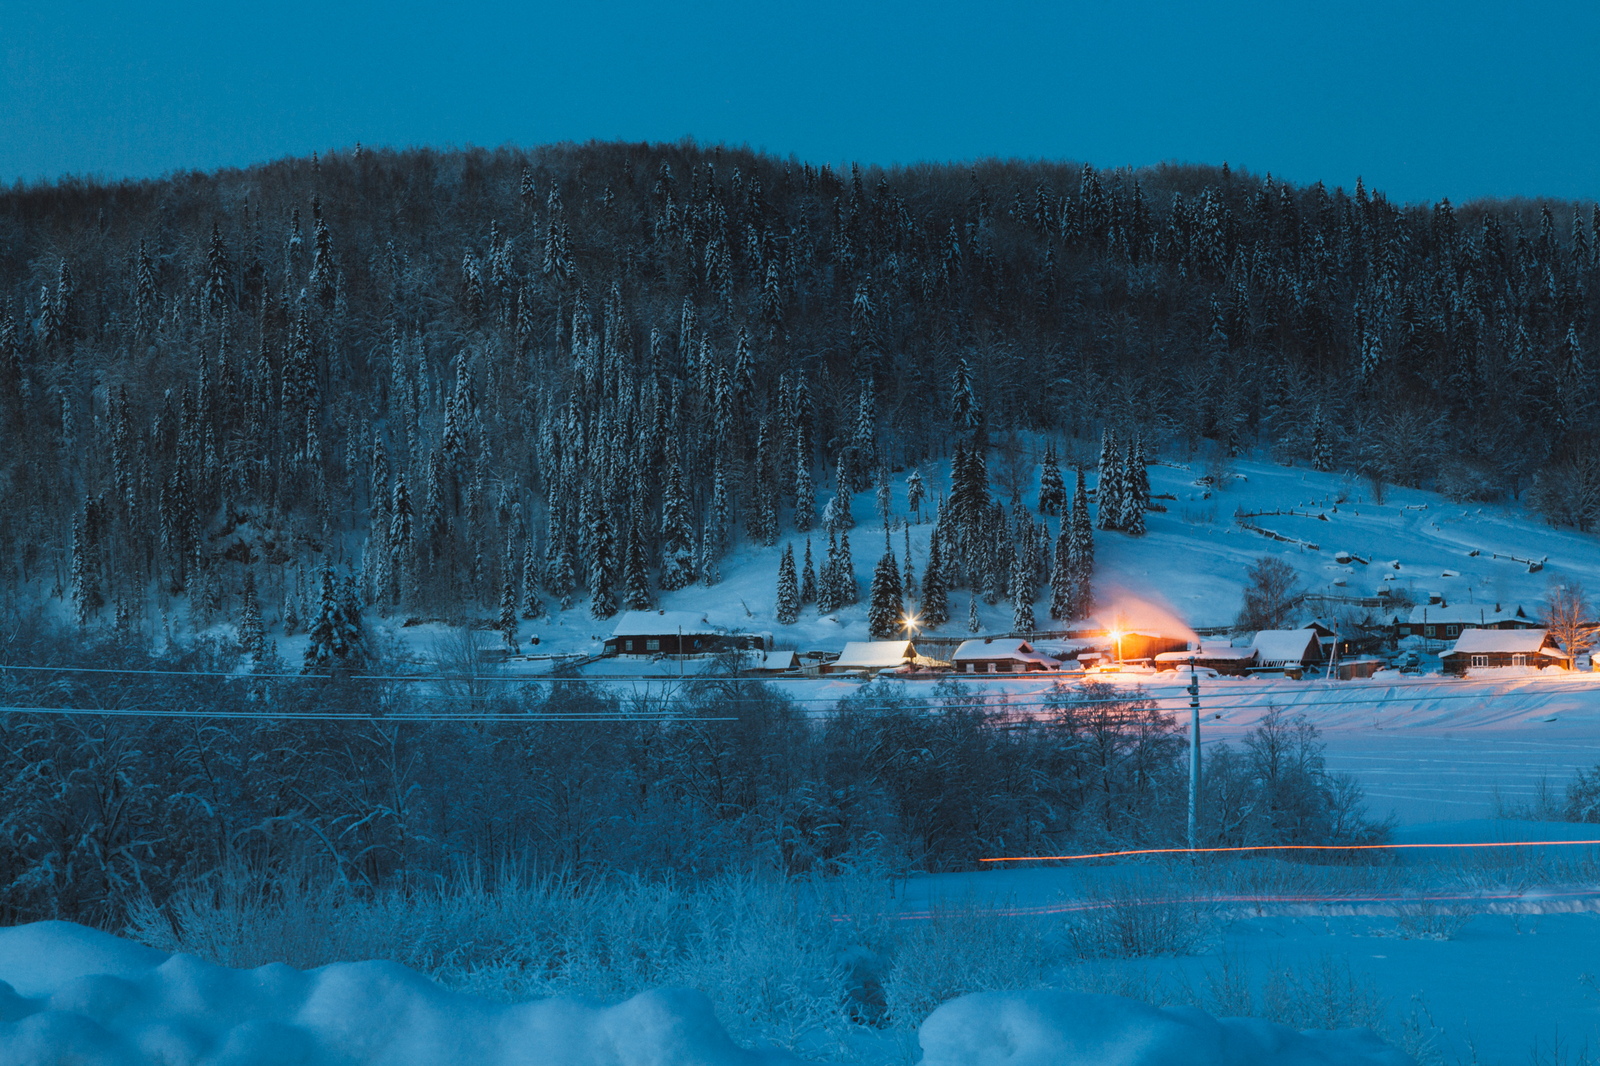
[100, 812]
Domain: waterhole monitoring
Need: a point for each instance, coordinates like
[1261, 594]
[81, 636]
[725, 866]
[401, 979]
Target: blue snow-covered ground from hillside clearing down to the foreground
[1487, 956]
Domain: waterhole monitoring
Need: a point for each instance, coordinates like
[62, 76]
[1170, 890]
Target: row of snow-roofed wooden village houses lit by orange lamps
[1482, 639]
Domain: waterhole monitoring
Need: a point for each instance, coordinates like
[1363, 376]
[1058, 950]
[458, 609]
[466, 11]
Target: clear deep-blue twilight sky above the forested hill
[1425, 100]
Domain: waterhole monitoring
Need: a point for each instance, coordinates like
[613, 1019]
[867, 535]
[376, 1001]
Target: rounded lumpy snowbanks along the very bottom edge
[76, 995]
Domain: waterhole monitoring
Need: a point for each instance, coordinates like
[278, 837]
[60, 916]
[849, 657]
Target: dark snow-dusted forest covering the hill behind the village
[500, 382]
